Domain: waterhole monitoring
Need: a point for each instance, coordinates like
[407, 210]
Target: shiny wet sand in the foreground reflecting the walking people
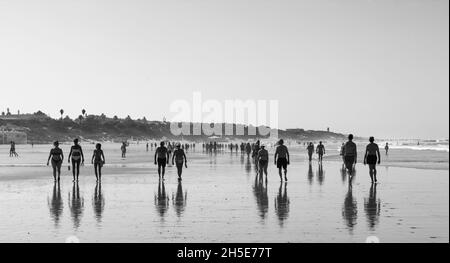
[221, 200]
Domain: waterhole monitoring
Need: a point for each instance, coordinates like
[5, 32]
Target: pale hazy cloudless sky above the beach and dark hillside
[370, 67]
